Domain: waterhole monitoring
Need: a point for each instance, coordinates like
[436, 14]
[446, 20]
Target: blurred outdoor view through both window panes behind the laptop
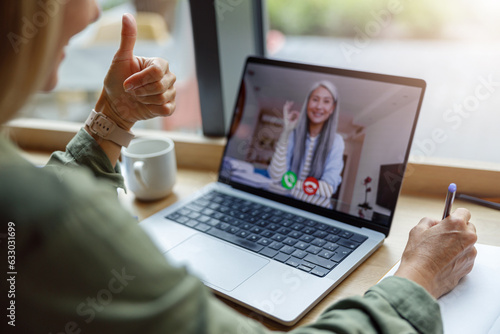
[454, 45]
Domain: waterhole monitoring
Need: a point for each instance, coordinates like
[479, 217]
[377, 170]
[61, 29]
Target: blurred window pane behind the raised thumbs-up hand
[164, 30]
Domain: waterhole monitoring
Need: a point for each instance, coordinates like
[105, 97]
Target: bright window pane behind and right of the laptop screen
[452, 45]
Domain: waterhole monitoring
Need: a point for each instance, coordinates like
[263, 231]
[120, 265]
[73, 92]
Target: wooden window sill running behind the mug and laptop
[429, 176]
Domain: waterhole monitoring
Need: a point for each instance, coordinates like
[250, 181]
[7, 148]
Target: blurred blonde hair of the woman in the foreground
[29, 31]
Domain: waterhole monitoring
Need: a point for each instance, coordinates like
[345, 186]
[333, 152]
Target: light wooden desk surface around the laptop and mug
[410, 209]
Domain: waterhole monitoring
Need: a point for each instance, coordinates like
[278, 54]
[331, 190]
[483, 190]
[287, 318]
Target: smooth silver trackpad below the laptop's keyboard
[215, 262]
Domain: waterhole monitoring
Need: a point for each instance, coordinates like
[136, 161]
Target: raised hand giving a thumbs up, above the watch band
[136, 88]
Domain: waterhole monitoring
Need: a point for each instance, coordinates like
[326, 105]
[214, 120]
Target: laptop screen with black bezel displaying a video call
[334, 142]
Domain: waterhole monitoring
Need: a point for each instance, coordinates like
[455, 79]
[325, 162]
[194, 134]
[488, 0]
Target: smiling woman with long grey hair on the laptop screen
[310, 147]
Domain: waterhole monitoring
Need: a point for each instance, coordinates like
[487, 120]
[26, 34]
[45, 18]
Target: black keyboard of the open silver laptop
[306, 244]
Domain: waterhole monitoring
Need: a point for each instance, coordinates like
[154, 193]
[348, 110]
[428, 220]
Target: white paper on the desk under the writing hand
[474, 305]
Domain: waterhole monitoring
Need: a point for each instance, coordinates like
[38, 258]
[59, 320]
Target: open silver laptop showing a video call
[276, 239]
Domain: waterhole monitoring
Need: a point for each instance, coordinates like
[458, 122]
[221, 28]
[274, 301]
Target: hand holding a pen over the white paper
[440, 253]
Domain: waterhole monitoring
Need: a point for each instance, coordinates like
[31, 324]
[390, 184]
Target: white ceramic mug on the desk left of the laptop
[150, 167]
